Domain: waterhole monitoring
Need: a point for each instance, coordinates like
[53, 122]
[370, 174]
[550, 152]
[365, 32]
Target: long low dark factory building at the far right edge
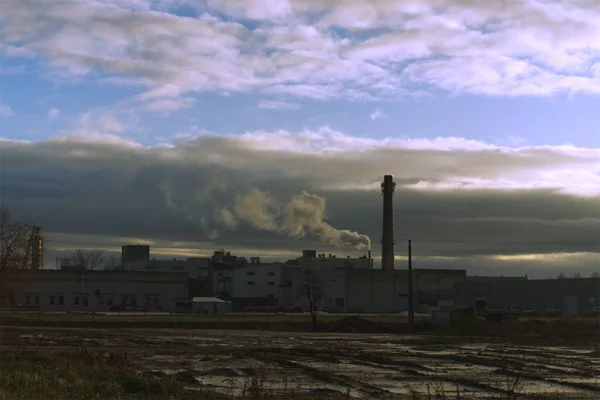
[566, 297]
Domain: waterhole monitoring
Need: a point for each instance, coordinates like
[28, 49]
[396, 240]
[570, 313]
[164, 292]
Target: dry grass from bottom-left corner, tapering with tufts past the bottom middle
[87, 375]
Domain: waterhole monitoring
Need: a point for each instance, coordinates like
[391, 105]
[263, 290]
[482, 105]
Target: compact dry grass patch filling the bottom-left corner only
[80, 375]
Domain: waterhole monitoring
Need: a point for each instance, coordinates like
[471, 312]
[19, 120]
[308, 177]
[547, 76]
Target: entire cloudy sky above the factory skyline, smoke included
[266, 126]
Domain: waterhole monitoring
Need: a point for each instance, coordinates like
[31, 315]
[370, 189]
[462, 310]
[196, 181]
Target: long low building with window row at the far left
[68, 290]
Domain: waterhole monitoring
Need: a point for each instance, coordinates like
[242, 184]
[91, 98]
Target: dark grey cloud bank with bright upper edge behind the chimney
[463, 202]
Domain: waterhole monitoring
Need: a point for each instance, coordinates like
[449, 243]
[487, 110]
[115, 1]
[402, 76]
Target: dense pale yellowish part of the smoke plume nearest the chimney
[304, 214]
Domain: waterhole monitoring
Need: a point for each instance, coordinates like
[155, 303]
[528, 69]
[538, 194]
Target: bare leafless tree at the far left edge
[14, 241]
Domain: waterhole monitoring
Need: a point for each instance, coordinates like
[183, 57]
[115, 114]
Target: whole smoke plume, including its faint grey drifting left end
[207, 206]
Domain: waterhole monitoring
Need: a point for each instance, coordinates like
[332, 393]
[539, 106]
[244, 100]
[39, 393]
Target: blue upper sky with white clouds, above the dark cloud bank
[533, 106]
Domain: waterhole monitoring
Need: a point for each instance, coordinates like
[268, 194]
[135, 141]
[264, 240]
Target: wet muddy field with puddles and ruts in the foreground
[367, 366]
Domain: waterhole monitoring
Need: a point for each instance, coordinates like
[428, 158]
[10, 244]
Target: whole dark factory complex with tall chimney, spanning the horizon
[225, 282]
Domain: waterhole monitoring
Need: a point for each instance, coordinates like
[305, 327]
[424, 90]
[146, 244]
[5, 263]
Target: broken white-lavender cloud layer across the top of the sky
[357, 49]
